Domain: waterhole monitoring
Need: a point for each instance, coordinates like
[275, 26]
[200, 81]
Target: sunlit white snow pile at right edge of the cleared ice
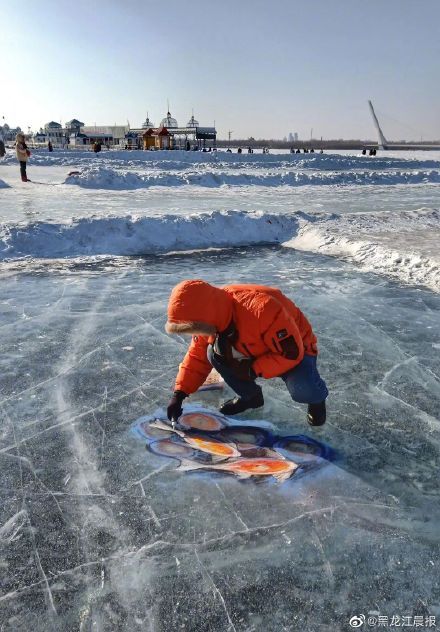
[403, 245]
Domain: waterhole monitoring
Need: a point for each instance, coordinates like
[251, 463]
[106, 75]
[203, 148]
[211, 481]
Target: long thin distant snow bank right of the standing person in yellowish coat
[97, 177]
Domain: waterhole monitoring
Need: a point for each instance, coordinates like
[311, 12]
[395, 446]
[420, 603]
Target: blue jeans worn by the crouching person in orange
[304, 383]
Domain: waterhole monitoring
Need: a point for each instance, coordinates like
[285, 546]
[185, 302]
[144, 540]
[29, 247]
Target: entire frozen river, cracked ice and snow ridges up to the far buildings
[96, 533]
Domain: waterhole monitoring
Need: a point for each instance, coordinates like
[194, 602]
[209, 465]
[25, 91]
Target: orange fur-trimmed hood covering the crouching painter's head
[197, 301]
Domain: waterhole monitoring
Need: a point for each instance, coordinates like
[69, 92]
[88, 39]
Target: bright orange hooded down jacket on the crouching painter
[271, 328]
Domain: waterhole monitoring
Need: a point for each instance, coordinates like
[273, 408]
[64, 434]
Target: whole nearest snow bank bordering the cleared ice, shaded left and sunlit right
[403, 245]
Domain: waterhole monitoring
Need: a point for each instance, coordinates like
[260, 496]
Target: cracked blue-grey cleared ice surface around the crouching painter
[97, 533]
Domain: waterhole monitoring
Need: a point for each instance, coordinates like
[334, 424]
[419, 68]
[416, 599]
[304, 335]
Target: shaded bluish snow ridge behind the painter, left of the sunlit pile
[144, 235]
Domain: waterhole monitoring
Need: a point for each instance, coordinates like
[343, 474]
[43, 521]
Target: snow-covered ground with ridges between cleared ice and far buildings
[139, 203]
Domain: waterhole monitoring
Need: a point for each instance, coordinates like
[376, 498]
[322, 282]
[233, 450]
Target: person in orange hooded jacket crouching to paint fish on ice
[245, 332]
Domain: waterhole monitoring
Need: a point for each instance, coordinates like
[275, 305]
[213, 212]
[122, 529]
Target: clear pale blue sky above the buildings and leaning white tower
[258, 67]
